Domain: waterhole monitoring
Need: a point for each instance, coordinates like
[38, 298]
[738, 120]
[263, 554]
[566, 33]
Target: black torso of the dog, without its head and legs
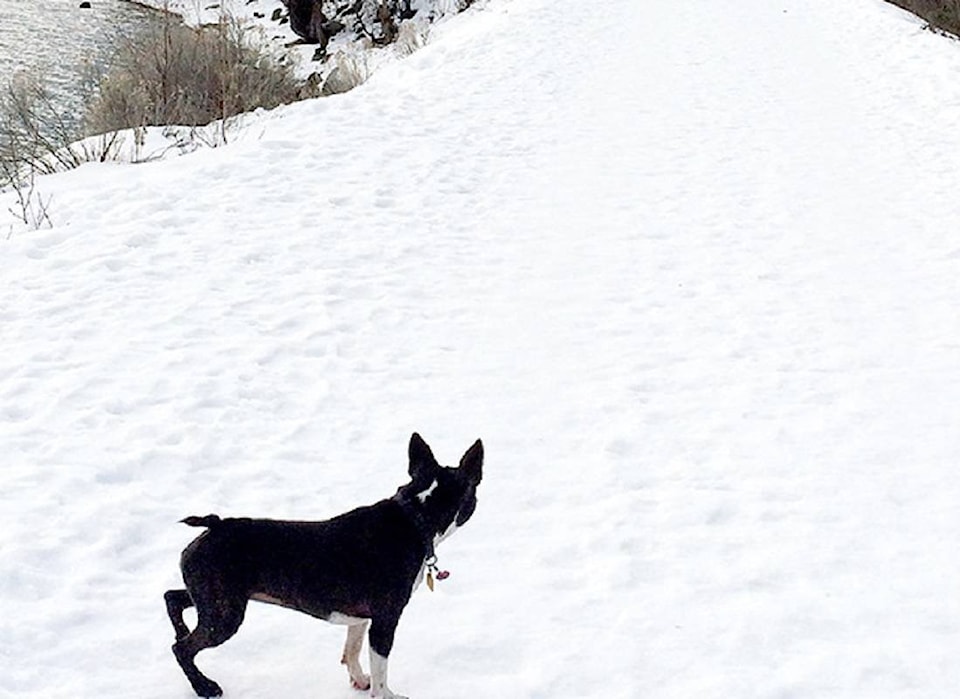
[344, 565]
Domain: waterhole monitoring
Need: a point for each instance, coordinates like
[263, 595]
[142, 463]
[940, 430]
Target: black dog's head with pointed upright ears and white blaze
[445, 496]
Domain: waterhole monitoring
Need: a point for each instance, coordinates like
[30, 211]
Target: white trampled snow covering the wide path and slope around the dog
[689, 269]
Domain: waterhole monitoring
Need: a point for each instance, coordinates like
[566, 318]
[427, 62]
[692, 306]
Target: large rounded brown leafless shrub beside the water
[175, 74]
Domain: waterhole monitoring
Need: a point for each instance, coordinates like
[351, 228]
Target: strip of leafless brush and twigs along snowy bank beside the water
[169, 74]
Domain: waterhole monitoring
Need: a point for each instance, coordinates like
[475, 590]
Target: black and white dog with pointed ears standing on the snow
[357, 569]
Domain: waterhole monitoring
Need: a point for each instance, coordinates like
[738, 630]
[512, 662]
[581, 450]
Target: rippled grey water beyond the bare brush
[64, 44]
